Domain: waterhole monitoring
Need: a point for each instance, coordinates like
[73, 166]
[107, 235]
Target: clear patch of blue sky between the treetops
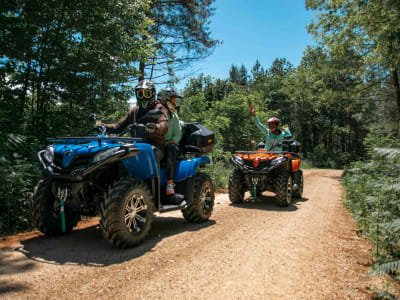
[255, 29]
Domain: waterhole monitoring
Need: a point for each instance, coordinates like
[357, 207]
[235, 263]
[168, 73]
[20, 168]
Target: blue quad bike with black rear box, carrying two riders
[118, 178]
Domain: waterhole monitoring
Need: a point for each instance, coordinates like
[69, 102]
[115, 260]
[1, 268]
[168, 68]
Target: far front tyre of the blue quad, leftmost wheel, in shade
[47, 211]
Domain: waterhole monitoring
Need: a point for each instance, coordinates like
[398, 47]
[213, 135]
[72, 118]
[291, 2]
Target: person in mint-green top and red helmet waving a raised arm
[274, 135]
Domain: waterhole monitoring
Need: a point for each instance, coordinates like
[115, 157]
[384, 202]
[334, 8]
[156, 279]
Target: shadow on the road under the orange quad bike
[268, 203]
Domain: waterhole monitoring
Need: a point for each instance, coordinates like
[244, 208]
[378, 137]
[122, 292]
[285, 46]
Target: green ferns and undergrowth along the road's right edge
[372, 194]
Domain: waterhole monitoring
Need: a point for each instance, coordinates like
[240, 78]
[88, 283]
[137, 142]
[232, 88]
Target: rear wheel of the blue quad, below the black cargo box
[203, 200]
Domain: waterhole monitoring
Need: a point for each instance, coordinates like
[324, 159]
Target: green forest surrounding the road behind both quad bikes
[60, 61]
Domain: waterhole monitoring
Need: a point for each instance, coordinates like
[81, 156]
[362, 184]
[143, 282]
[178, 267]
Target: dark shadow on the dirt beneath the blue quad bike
[88, 247]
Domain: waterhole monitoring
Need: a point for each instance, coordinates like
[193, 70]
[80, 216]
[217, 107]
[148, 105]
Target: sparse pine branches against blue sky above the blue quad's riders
[180, 35]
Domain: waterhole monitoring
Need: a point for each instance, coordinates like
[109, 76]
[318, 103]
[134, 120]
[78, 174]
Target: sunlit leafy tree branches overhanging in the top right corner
[370, 27]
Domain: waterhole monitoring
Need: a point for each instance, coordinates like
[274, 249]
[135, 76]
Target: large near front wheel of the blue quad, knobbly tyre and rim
[126, 214]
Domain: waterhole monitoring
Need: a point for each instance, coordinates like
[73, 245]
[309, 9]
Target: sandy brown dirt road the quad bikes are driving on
[257, 250]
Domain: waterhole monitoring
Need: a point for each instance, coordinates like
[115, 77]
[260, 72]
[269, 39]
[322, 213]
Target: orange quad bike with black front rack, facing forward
[267, 170]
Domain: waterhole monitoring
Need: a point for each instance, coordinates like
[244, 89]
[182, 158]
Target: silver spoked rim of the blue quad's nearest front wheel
[135, 213]
